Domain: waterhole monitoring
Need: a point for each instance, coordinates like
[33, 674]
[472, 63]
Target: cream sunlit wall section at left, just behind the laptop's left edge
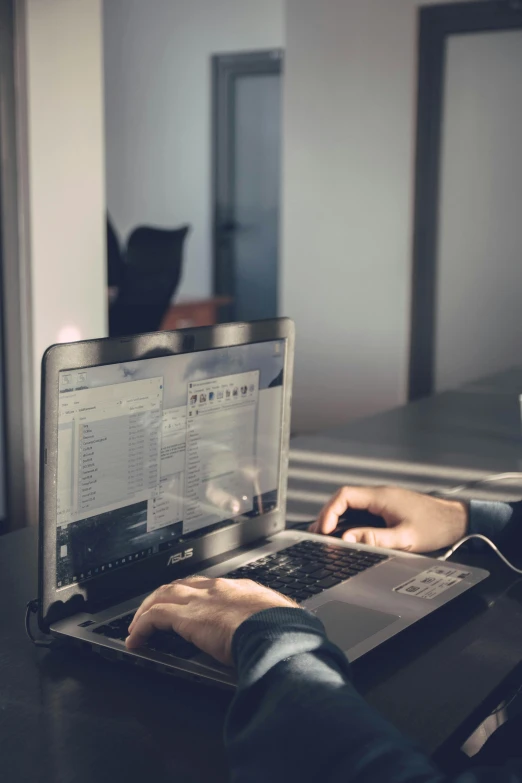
[65, 173]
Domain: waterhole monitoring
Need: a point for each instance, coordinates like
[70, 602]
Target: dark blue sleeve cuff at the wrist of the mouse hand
[501, 522]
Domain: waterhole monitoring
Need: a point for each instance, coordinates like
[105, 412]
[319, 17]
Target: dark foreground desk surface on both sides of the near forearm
[76, 717]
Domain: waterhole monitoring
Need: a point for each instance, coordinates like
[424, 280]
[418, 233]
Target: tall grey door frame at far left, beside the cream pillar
[17, 376]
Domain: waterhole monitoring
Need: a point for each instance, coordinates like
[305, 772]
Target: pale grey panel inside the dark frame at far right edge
[479, 328]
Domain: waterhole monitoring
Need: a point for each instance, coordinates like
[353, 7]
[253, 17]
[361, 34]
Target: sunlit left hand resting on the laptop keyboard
[204, 611]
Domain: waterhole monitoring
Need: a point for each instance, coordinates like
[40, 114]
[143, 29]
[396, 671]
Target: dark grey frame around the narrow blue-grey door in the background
[226, 69]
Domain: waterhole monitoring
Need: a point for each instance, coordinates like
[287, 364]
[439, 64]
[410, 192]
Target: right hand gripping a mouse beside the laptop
[415, 523]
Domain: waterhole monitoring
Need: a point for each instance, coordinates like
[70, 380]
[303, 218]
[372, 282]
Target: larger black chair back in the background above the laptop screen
[150, 277]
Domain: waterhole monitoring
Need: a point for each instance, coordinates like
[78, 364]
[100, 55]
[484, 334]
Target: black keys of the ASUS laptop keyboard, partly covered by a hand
[299, 572]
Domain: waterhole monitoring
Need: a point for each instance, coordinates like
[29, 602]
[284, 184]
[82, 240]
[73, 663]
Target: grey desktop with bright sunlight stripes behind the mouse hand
[435, 443]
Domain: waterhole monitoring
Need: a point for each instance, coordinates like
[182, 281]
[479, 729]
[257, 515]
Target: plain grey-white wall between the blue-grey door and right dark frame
[349, 144]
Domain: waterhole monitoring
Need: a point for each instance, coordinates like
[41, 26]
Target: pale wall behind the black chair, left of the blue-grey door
[158, 110]
